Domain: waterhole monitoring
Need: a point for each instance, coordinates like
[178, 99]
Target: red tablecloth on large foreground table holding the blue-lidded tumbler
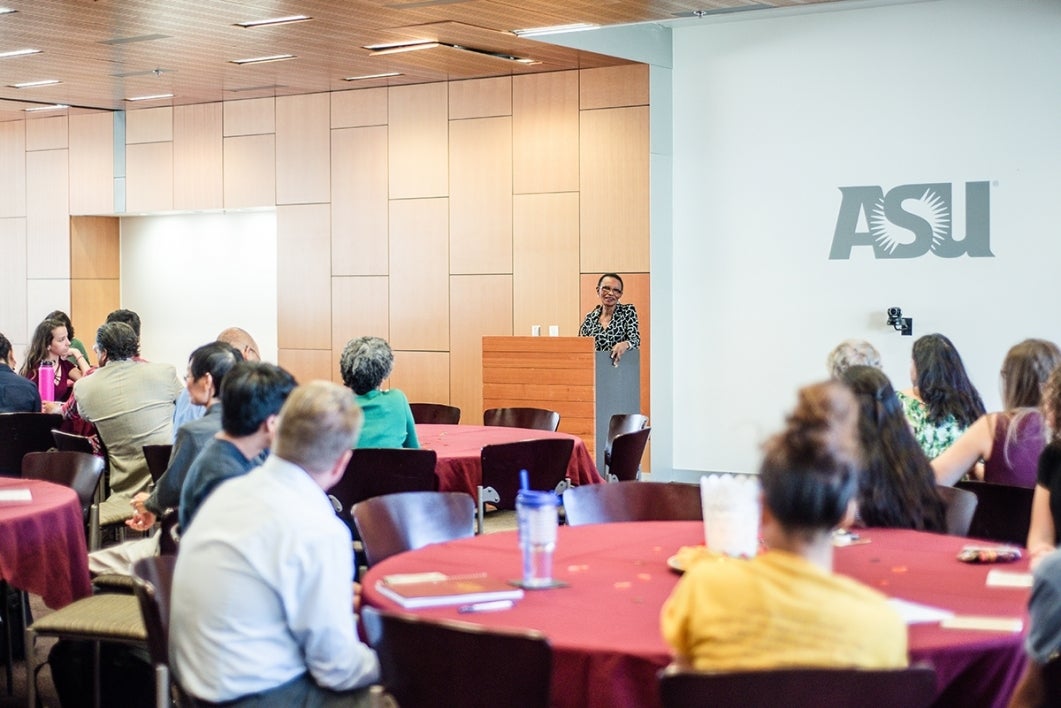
[605, 631]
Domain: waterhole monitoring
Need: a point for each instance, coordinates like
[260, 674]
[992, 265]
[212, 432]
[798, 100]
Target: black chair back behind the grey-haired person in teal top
[377, 472]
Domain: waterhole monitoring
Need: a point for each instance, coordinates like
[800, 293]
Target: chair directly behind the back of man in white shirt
[152, 584]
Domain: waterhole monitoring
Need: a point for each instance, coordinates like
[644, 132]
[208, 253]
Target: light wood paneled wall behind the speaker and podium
[429, 215]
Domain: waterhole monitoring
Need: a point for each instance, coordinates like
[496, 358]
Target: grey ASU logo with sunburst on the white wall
[911, 221]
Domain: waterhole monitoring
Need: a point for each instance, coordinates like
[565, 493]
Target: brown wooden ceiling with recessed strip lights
[105, 53]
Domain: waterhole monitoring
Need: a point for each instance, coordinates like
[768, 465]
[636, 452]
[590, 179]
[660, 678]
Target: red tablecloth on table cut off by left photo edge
[43, 543]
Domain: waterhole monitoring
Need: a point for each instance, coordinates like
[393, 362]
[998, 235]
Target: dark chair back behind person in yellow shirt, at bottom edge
[799, 688]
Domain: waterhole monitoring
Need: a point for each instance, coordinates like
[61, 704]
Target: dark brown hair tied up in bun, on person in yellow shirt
[810, 471]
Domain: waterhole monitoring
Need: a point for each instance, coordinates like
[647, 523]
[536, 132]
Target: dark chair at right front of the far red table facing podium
[546, 461]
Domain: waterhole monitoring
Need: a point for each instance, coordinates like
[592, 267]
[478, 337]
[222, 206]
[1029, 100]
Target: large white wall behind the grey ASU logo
[773, 114]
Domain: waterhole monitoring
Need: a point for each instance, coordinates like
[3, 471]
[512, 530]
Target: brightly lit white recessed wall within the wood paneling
[190, 277]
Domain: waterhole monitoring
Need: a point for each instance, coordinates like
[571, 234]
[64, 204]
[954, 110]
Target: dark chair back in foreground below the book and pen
[446, 664]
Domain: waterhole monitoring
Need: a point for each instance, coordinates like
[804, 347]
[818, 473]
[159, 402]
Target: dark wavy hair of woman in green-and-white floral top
[943, 383]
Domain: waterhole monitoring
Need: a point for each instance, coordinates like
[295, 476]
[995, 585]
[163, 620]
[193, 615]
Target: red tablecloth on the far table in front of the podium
[459, 447]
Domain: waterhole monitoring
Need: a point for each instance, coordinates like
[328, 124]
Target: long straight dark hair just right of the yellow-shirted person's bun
[897, 488]
